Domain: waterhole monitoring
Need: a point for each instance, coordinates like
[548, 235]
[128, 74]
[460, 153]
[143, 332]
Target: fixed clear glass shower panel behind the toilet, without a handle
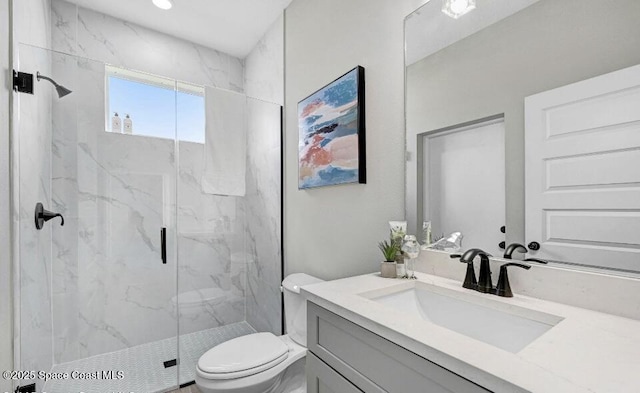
[229, 246]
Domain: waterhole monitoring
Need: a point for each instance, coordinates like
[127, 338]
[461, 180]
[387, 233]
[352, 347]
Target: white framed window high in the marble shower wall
[157, 106]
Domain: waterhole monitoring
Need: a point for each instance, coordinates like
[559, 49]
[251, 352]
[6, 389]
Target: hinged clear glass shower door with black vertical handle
[95, 295]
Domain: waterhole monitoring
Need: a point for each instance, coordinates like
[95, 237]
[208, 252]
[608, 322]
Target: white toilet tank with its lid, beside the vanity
[295, 306]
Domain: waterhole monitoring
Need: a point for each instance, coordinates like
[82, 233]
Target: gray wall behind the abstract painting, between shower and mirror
[332, 232]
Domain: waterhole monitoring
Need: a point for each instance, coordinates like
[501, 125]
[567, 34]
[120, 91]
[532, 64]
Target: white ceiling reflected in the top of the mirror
[428, 29]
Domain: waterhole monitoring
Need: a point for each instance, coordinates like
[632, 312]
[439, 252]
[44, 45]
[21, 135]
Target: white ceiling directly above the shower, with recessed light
[230, 26]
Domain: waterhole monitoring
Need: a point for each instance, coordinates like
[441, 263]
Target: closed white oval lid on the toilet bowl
[243, 356]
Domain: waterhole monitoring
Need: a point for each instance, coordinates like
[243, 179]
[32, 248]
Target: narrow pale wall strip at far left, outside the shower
[6, 348]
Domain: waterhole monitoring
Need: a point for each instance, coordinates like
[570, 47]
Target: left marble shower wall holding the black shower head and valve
[32, 250]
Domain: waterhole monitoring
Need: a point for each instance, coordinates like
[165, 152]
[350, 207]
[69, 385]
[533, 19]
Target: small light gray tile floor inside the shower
[143, 367]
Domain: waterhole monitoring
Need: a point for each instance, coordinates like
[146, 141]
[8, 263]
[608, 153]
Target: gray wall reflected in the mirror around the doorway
[550, 44]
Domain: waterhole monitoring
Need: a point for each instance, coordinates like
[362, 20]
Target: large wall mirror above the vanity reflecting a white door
[526, 114]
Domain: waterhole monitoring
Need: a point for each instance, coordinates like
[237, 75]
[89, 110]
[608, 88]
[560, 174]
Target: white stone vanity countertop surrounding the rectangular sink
[587, 351]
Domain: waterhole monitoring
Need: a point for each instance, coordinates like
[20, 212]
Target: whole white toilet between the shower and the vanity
[256, 363]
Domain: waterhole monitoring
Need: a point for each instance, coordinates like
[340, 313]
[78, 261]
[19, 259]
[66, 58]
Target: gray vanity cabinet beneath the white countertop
[345, 357]
